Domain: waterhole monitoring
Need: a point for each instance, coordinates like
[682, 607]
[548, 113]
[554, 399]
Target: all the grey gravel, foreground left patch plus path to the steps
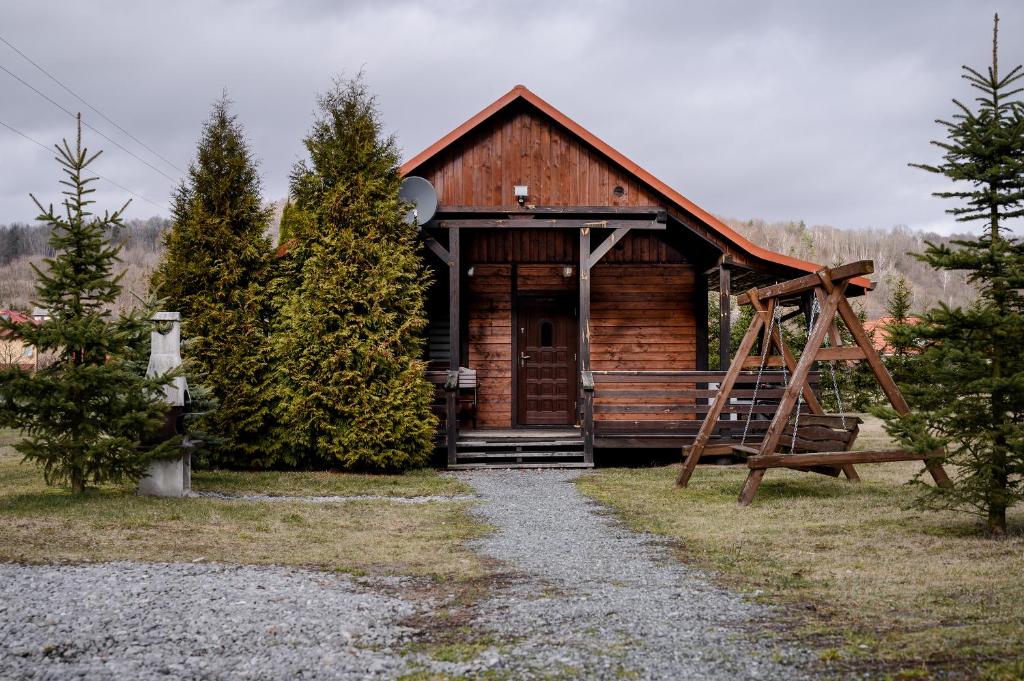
[584, 599]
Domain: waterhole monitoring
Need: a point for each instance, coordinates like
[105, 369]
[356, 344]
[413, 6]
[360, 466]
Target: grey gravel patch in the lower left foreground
[132, 621]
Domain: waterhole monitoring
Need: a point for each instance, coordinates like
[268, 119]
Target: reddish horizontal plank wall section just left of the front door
[490, 327]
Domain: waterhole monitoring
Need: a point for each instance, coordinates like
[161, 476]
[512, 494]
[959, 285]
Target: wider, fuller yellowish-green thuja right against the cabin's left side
[351, 382]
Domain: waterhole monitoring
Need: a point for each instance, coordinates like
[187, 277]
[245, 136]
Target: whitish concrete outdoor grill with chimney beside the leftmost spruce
[168, 478]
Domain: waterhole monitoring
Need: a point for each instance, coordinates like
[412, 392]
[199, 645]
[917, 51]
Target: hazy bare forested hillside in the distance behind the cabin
[22, 244]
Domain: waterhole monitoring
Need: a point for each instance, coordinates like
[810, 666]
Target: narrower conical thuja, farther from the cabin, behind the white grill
[215, 271]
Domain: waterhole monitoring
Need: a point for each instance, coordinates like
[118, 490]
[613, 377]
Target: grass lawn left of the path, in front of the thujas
[48, 525]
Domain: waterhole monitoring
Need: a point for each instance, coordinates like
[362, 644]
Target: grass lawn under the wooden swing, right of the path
[874, 586]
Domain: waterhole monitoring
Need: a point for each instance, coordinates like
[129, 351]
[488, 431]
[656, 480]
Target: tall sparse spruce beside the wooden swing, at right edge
[968, 384]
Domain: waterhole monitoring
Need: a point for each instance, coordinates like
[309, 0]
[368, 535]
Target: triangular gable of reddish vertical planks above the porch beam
[521, 146]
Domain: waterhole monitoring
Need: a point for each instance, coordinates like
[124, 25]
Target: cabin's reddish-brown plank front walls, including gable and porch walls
[644, 314]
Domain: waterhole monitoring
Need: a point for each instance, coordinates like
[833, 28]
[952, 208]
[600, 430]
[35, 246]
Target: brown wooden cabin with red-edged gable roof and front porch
[572, 291]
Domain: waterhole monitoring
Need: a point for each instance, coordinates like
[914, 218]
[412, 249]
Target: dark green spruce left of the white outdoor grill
[86, 415]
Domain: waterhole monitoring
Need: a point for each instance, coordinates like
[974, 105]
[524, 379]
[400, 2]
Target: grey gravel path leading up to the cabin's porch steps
[602, 602]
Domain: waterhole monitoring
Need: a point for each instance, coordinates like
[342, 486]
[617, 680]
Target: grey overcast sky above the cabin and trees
[773, 110]
